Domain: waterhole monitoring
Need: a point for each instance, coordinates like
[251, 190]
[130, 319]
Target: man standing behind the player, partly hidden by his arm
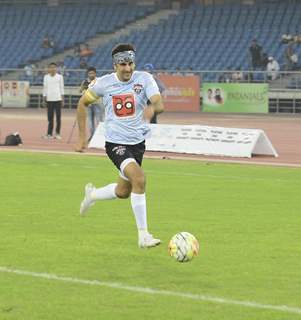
[95, 110]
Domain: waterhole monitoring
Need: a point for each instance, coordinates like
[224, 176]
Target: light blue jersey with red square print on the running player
[124, 104]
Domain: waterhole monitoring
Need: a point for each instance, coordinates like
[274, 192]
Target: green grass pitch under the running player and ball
[247, 219]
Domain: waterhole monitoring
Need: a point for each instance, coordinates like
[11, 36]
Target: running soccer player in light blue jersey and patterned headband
[125, 94]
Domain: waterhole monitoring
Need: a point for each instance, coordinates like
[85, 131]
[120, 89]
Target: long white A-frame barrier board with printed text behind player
[197, 139]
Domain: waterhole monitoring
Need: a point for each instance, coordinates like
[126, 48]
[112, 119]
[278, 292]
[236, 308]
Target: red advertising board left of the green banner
[182, 93]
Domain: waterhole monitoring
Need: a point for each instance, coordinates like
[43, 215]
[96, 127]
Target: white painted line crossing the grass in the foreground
[151, 291]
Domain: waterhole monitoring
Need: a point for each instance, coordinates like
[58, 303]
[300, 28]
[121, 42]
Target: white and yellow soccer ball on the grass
[183, 246]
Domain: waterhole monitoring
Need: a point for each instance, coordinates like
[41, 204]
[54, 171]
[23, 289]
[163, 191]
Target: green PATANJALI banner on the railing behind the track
[235, 97]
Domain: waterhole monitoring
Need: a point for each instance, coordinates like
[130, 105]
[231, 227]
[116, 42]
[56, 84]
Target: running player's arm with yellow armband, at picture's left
[86, 99]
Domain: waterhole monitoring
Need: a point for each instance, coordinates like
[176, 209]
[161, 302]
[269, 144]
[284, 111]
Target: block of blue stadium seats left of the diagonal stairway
[23, 28]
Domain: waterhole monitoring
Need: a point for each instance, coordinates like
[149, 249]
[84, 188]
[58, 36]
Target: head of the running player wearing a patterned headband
[123, 56]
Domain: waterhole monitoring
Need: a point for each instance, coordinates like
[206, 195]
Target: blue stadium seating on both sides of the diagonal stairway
[200, 37]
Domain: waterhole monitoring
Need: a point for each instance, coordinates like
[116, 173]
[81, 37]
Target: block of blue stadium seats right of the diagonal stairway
[212, 37]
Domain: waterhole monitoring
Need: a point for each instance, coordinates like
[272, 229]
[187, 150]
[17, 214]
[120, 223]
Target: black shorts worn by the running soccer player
[120, 152]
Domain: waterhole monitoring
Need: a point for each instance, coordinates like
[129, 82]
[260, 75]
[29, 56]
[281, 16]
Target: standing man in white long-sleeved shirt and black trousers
[53, 94]
